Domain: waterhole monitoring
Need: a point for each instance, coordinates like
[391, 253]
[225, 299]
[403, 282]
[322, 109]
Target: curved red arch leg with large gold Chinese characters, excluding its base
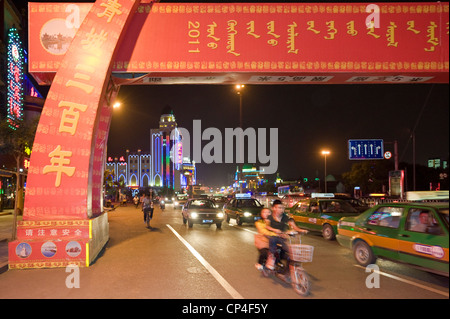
[64, 180]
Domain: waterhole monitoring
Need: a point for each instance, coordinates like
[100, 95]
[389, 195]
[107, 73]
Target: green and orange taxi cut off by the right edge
[414, 233]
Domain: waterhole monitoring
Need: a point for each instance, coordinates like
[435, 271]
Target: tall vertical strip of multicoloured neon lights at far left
[15, 79]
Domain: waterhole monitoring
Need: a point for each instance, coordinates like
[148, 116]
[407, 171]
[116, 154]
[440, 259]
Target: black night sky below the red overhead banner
[309, 118]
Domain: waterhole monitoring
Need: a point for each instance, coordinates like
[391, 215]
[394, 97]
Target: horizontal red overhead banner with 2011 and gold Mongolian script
[301, 38]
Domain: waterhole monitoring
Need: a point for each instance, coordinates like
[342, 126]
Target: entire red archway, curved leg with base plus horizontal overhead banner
[87, 51]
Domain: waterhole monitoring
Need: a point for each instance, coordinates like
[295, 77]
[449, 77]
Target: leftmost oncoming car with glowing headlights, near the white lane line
[202, 211]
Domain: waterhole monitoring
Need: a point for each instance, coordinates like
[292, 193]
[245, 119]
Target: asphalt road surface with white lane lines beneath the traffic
[172, 261]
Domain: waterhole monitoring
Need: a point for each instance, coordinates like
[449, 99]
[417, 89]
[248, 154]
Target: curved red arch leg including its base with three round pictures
[63, 221]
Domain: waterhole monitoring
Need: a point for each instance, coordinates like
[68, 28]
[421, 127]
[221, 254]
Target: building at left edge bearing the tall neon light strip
[20, 101]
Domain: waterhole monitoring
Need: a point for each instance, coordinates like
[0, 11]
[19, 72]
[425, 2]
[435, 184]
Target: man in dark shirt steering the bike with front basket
[279, 223]
